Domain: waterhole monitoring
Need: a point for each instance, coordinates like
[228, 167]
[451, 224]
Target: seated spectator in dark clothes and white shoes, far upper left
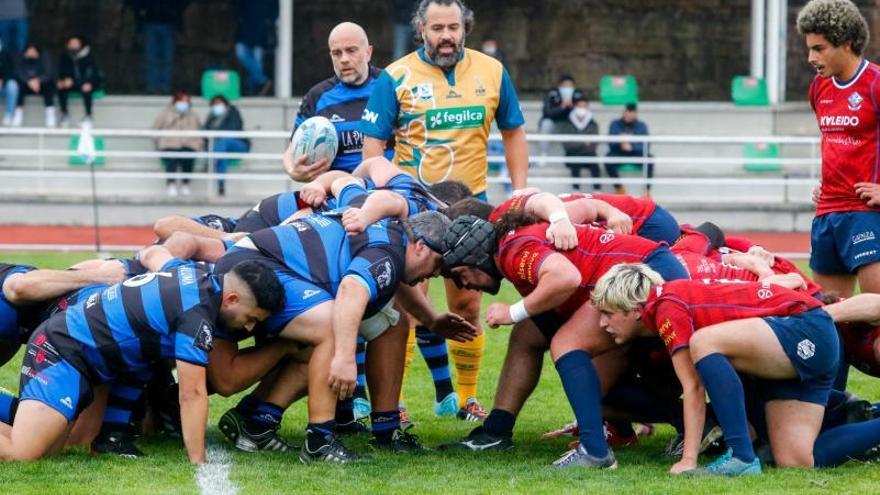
[34, 75]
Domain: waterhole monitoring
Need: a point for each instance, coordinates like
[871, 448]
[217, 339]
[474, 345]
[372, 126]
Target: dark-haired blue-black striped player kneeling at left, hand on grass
[117, 336]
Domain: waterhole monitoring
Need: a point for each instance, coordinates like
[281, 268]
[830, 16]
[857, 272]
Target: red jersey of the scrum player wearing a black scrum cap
[522, 251]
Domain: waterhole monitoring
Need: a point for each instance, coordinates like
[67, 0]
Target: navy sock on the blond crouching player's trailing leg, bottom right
[853, 441]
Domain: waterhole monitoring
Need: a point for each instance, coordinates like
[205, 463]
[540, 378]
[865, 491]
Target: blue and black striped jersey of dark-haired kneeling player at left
[122, 331]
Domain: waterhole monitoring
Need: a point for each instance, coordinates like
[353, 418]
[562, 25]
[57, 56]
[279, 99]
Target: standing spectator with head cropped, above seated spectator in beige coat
[159, 21]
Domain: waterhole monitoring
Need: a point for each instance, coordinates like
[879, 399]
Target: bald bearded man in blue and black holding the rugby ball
[341, 99]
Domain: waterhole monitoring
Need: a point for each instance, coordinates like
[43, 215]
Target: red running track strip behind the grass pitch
[783, 242]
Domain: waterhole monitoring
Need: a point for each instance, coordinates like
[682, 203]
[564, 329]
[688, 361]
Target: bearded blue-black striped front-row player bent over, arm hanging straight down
[322, 267]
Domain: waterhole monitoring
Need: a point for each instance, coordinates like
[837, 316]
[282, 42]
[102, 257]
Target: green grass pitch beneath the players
[643, 469]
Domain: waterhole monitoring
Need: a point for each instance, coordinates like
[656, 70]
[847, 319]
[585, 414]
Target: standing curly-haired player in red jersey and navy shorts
[845, 95]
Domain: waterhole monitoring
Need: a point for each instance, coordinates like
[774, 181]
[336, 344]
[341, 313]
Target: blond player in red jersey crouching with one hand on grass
[784, 339]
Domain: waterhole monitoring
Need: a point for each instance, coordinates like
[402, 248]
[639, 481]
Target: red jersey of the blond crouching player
[677, 309]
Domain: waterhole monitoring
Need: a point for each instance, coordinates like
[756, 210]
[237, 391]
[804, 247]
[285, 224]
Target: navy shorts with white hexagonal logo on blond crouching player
[811, 343]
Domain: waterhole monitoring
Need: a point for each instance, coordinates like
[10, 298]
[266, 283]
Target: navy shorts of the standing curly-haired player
[841, 243]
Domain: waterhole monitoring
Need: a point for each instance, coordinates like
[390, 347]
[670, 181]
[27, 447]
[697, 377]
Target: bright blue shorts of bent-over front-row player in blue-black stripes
[299, 295]
